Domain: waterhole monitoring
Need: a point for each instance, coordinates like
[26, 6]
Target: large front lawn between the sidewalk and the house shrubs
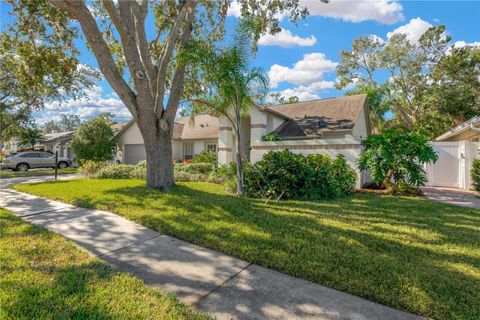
[408, 253]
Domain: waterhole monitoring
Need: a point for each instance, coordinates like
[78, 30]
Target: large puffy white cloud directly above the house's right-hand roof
[304, 72]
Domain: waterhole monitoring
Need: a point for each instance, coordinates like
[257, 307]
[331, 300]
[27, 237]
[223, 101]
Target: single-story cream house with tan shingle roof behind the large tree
[330, 126]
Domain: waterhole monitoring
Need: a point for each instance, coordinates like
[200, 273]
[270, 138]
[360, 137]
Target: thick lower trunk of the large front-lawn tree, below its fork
[157, 138]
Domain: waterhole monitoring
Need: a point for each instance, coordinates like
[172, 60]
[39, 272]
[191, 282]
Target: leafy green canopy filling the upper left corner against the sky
[38, 63]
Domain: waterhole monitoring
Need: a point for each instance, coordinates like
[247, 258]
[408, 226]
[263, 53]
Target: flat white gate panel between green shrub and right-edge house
[446, 171]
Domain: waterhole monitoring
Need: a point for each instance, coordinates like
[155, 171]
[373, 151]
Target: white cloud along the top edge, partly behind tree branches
[383, 11]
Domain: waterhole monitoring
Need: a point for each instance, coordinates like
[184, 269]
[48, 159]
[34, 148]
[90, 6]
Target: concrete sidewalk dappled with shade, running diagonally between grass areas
[223, 286]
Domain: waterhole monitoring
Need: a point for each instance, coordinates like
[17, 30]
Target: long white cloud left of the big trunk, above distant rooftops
[95, 103]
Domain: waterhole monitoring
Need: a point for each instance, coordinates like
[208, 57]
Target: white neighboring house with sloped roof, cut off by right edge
[456, 150]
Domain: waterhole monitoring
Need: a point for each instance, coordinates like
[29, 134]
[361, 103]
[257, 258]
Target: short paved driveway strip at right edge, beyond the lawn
[458, 197]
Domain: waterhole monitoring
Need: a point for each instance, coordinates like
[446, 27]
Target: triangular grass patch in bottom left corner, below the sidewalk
[45, 276]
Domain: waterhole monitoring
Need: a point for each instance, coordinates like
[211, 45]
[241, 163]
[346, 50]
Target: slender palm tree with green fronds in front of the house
[235, 88]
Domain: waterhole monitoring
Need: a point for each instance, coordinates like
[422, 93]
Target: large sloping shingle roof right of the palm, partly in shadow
[316, 117]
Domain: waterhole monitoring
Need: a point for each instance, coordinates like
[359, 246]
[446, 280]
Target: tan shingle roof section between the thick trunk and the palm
[202, 127]
